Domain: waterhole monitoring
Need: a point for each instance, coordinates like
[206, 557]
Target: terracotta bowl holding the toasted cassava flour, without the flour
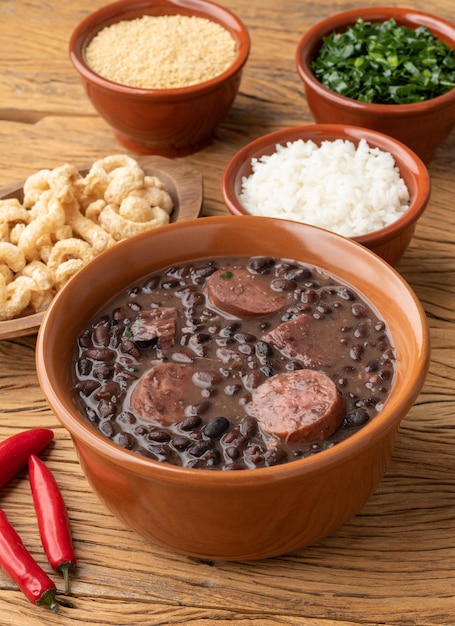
[168, 122]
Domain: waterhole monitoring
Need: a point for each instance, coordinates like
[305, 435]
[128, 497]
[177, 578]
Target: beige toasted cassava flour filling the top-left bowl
[161, 52]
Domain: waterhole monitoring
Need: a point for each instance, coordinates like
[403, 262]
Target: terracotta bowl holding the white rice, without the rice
[390, 242]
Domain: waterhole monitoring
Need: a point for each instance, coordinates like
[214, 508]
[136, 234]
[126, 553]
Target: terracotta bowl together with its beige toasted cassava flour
[162, 73]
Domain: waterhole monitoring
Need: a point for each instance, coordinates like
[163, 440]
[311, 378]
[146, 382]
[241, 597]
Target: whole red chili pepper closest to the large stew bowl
[53, 521]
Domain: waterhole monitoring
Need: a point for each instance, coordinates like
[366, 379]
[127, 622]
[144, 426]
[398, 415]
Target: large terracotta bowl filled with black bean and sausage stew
[193, 474]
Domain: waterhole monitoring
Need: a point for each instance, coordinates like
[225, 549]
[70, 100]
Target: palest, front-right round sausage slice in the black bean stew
[304, 405]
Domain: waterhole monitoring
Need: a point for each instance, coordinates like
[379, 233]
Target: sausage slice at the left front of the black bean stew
[157, 397]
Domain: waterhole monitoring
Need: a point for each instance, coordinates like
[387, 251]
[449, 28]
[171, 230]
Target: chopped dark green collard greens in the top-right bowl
[385, 63]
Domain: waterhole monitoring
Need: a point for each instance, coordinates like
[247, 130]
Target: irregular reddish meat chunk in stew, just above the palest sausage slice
[299, 339]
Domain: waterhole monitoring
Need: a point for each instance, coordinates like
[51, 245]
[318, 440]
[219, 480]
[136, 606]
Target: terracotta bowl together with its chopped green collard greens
[386, 68]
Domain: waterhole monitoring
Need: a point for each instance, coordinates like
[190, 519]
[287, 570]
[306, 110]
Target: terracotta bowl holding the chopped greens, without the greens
[422, 126]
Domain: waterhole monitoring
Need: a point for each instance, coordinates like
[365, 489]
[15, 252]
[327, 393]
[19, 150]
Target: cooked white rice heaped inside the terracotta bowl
[340, 187]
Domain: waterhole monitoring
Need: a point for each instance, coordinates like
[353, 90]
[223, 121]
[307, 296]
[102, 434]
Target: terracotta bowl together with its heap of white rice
[353, 181]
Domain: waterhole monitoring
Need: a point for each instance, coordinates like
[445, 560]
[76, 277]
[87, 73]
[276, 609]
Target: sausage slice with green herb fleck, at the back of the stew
[238, 292]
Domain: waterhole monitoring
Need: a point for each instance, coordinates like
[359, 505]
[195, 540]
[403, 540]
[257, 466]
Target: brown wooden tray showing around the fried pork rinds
[184, 185]
